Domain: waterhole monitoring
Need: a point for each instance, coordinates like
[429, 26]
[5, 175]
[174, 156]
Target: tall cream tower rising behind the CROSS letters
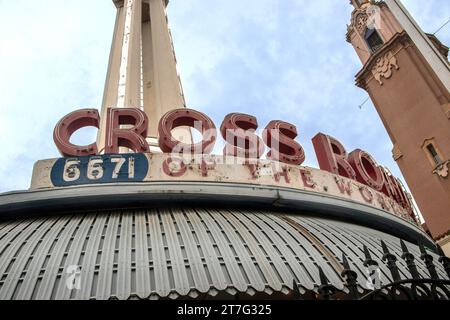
[142, 71]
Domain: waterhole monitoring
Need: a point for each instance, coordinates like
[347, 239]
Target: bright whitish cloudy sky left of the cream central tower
[52, 61]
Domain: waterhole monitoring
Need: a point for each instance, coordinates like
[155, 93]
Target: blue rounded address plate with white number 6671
[99, 169]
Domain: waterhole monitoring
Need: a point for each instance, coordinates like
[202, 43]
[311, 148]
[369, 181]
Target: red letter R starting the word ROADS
[332, 156]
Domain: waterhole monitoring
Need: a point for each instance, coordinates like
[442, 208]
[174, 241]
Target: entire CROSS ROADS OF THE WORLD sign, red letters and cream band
[355, 176]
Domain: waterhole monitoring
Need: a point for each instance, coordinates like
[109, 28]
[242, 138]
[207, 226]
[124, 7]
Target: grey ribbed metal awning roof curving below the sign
[179, 252]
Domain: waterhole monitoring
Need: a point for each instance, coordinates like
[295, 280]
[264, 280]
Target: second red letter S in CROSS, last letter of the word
[279, 137]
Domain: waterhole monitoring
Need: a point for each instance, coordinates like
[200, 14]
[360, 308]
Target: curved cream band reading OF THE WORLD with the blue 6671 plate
[205, 168]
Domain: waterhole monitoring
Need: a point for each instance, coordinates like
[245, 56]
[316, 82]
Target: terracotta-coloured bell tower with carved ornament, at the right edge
[407, 76]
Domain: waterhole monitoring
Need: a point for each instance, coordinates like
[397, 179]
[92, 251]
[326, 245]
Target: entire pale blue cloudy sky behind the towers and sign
[274, 59]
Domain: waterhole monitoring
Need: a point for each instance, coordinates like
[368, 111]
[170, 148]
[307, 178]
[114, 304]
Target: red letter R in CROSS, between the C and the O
[132, 138]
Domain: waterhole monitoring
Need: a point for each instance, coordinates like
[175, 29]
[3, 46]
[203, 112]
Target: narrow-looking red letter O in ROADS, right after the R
[367, 170]
